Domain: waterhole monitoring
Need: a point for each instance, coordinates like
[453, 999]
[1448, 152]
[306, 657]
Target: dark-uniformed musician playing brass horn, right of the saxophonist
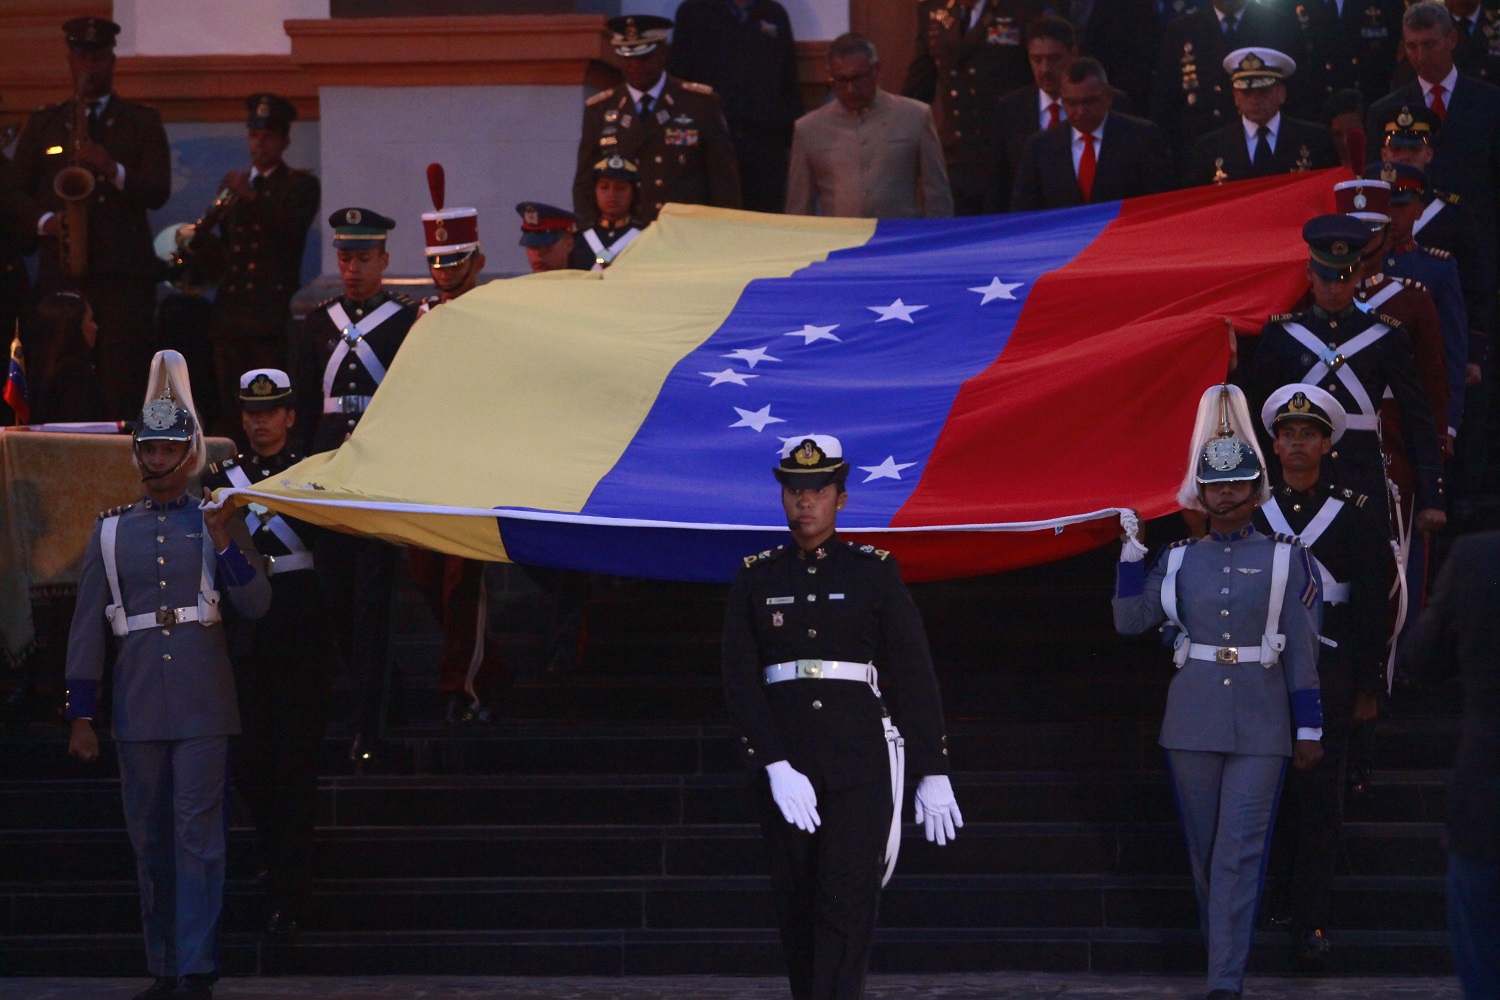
[263, 236]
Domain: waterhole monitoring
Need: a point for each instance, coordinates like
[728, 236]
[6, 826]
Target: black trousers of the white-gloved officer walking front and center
[827, 887]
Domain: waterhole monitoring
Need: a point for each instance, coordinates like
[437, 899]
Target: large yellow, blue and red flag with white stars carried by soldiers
[1003, 386]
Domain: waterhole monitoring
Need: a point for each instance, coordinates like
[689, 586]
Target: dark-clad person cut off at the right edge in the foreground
[1460, 633]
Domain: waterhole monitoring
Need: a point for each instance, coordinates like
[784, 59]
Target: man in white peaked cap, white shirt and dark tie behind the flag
[1262, 142]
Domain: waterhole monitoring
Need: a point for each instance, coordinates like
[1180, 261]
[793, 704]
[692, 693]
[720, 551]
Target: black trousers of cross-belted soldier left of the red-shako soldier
[359, 578]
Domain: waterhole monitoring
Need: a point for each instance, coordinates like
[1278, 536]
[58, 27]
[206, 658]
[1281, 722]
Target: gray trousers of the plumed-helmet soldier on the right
[1228, 804]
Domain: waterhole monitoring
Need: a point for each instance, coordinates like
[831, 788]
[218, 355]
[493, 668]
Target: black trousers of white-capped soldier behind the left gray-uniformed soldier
[284, 686]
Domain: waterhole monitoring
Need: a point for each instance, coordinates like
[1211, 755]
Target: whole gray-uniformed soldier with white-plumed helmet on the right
[1243, 611]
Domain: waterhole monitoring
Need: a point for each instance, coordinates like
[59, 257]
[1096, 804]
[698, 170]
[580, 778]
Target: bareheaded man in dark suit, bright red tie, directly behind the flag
[1096, 157]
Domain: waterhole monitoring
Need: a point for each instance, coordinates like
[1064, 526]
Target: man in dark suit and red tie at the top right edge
[1466, 155]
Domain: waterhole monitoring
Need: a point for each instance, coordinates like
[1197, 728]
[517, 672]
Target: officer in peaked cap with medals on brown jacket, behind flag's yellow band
[671, 128]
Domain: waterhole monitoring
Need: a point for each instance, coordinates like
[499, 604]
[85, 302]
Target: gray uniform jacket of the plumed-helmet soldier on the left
[172, 681]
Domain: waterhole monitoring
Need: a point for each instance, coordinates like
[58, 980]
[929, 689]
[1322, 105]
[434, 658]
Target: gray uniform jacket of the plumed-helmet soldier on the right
[1223, 600]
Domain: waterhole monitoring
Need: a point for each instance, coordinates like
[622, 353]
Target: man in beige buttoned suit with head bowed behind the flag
[871, 154]
